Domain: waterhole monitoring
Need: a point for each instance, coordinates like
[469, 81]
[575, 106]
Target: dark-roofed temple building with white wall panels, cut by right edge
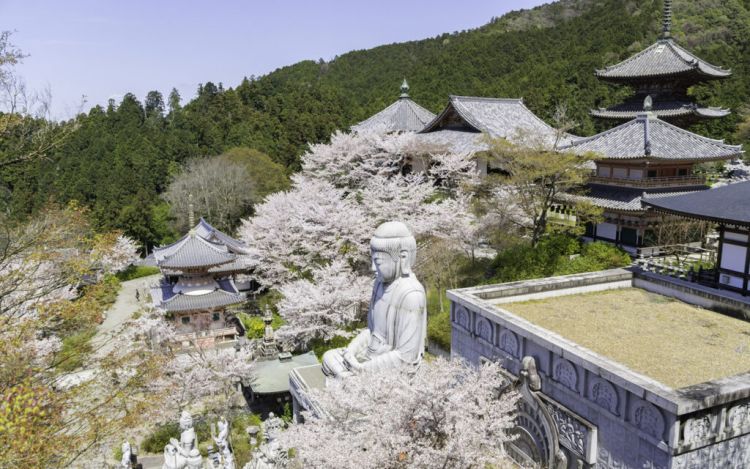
[729, 208]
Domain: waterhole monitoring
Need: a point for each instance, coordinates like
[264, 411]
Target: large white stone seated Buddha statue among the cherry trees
[397, 317]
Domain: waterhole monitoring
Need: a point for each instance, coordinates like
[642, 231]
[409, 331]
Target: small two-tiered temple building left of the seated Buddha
[200, 280]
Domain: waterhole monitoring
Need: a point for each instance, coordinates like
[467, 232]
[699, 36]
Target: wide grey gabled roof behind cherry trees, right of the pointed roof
[497, 117]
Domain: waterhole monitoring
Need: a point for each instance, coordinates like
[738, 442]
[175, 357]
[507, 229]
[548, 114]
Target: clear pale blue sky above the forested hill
[102, 49]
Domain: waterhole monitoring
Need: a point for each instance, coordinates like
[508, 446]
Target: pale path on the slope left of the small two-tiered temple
[122, 310]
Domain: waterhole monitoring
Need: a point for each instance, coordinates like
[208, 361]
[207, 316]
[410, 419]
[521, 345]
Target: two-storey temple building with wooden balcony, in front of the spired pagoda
[643, 157]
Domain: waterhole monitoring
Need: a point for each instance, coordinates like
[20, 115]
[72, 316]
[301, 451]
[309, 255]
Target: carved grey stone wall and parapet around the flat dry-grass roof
[622, 419]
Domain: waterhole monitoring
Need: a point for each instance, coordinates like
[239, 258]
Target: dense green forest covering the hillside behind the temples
[119, 160]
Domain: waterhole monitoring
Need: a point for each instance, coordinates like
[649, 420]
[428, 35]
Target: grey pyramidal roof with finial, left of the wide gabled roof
[403, 115]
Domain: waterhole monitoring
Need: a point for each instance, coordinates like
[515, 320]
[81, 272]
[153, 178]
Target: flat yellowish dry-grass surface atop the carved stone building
[670, 341]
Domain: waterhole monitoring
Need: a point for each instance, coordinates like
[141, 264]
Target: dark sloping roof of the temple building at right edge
[729, 204]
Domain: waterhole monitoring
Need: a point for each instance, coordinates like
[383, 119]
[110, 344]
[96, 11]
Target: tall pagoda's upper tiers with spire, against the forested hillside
[664, 72]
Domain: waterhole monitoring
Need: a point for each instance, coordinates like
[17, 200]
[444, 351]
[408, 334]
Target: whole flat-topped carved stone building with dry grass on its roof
[615, 369]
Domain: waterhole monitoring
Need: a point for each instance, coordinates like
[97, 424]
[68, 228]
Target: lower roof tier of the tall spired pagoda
[662, 109]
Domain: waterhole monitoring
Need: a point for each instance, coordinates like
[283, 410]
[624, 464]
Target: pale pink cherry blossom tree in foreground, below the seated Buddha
[446, 414]
